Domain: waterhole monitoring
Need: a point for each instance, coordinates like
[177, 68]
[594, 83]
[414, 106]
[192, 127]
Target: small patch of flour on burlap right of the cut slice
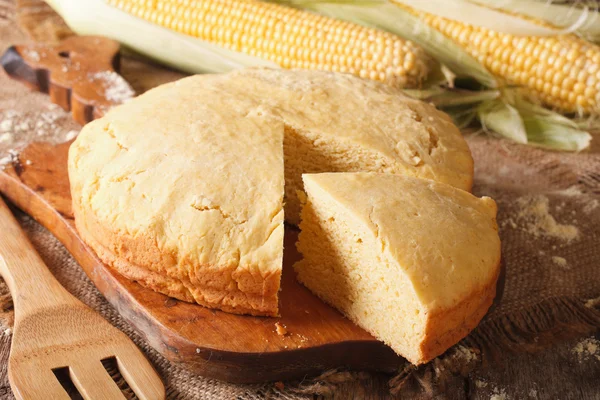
[534, 217]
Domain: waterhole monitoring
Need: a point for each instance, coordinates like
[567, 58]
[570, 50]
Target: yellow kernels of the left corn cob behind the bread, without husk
[289, 37]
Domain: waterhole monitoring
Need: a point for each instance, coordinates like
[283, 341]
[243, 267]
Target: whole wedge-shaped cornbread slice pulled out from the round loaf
[413, 261]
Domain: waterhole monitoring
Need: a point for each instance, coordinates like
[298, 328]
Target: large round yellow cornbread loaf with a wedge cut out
[182, 188]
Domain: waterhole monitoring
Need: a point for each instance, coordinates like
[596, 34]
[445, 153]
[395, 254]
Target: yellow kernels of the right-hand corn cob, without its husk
[561, 71]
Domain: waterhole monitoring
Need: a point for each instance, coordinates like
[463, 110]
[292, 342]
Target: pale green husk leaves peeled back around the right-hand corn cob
[504, 112]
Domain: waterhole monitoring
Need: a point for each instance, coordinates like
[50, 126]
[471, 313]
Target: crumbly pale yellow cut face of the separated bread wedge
[344, 266]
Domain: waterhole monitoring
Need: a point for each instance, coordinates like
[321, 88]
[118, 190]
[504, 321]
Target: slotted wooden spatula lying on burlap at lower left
[54, 330]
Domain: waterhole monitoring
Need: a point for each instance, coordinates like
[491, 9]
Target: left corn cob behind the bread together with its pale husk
[267, 34]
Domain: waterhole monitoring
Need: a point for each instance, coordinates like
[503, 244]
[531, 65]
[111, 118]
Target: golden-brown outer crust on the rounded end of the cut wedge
[445, 328]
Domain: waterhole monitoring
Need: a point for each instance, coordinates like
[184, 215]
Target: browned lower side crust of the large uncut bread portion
[174, 282]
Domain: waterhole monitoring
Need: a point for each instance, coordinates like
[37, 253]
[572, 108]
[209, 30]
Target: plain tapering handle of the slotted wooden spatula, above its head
[31, 284]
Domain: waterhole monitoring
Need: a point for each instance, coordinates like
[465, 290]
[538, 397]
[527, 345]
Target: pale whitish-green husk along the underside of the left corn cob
[192, 55]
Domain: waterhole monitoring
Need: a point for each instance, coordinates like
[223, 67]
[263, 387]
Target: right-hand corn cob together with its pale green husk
[533, 64]
